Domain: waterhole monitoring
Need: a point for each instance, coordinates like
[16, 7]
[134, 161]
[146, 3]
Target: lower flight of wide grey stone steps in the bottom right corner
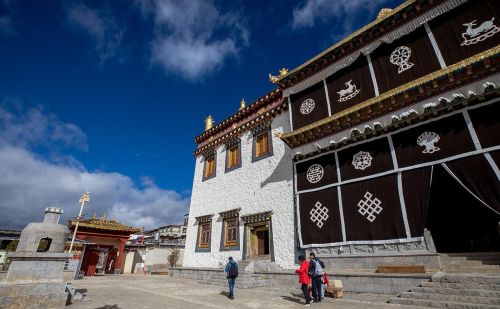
[455, 291]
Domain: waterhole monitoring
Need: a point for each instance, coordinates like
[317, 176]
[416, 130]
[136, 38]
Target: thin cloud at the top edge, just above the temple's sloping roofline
[340, 11]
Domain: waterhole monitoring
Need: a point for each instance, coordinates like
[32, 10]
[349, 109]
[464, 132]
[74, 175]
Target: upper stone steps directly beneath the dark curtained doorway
[478, 262]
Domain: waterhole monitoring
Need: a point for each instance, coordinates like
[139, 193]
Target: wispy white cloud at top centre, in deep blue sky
[193, 38]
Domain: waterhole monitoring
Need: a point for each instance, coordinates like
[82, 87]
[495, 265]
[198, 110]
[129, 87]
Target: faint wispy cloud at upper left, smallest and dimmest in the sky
[100, 25]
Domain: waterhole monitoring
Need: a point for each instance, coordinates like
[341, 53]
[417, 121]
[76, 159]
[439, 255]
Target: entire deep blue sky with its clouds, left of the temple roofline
[107, 96]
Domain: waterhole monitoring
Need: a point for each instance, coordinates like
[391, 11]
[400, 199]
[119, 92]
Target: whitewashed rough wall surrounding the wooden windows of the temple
[255, 187]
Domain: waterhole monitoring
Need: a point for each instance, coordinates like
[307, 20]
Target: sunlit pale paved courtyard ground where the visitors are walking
[138, 291]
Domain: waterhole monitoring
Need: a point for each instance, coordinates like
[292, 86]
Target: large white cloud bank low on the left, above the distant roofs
[29, 183]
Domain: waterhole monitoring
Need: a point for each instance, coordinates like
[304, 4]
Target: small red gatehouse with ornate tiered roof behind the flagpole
[105, 239]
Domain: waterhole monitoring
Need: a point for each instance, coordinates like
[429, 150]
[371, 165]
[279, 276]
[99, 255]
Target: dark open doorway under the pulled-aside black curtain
[457, 221]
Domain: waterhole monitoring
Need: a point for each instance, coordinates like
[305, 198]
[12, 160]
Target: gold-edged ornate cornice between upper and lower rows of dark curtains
[482, 64]
